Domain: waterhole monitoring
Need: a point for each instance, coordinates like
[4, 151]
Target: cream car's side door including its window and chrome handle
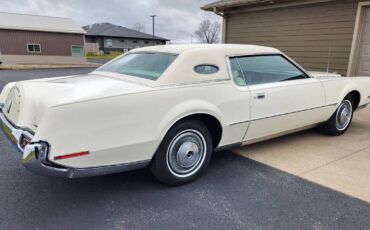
[284, 97]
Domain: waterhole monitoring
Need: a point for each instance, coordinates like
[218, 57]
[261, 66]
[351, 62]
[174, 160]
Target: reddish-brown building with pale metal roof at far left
[31, 39]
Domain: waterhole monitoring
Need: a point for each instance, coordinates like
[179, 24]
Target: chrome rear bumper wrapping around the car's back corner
[35, 156]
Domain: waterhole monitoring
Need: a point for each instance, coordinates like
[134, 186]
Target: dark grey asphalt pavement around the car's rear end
[234, 193]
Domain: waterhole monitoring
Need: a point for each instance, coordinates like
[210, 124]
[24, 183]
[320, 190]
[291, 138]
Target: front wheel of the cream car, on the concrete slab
[341, 119]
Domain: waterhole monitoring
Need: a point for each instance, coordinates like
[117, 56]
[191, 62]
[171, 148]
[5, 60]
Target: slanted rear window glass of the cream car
[144, 65]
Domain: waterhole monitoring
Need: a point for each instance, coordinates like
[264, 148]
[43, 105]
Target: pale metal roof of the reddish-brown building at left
[13, 21]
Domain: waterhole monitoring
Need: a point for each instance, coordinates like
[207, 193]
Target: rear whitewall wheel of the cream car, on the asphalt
[183, 154]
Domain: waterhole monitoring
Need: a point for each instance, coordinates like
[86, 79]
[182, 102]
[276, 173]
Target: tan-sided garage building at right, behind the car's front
[315, 33]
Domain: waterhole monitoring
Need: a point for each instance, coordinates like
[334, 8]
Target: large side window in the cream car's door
[269, 69]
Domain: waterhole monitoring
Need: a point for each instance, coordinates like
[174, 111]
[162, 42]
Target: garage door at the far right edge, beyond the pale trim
[363, 63]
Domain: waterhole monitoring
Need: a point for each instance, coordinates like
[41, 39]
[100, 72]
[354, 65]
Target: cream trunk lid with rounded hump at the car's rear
[27, 101]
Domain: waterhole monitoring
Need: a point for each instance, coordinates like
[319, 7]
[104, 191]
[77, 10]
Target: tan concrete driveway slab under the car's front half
[341, 163]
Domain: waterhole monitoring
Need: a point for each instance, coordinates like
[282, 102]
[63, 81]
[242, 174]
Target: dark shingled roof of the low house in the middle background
[111, 30]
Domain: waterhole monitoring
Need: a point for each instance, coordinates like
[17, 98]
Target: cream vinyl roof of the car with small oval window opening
[181, 71]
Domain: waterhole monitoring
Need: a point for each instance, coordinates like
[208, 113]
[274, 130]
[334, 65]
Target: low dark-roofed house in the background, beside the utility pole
[108, 37]
